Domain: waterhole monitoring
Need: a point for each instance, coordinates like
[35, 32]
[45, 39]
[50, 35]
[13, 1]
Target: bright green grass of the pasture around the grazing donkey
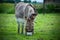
[46, 27]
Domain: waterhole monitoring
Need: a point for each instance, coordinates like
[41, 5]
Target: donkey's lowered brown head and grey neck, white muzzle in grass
[31, 16]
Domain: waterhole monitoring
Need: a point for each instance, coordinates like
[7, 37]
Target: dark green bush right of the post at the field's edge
[52, 8]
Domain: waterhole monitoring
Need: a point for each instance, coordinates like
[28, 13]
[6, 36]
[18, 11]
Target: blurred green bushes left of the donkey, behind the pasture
[7, 8]
